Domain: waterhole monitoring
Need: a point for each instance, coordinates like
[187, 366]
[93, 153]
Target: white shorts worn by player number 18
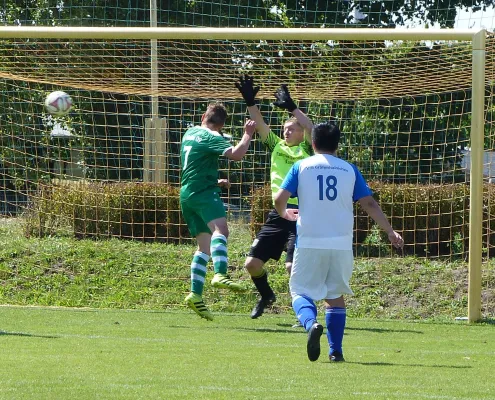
[321, 273]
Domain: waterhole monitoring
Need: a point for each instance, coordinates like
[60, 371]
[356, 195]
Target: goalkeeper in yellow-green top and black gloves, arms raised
[277, 233]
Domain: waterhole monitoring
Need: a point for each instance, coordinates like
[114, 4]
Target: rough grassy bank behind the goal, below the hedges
[62, 271]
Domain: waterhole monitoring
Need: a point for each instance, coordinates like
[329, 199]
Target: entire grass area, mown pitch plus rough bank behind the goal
[105, 319]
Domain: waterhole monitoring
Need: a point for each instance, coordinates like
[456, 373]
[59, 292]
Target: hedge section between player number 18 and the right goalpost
[431, 218]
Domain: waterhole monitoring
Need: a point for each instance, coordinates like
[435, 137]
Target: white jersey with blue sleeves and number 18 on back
[326, 187]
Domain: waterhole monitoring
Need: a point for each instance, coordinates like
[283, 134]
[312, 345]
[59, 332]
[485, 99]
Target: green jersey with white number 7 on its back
[199, 152]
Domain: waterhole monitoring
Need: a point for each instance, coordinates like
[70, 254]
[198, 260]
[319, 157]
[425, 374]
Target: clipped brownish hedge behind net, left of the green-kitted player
[128, 210]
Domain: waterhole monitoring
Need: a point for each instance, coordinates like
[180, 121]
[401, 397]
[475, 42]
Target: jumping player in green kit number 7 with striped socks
[200, 202]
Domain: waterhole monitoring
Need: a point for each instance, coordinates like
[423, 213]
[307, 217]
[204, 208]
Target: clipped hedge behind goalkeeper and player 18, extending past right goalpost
[433, 219]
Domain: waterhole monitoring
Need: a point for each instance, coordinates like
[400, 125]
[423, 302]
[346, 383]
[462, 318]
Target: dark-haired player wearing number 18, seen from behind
[326, 187]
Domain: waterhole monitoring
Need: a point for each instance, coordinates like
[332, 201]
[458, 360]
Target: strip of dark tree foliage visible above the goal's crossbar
[237, 13]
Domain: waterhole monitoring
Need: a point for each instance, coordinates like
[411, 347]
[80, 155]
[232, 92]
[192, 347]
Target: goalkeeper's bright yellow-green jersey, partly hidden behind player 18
[283, 158]
